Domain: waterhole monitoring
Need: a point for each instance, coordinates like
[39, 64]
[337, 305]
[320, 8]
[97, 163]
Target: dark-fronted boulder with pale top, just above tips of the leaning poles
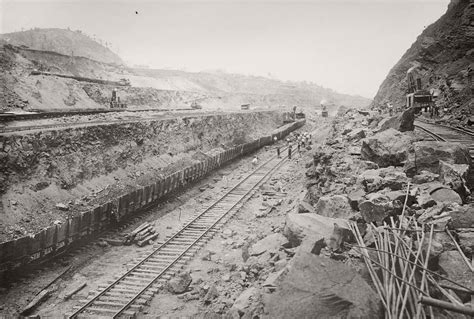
[377, 207]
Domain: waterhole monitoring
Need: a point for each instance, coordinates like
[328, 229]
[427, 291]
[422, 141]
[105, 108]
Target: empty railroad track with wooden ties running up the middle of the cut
[127, 295]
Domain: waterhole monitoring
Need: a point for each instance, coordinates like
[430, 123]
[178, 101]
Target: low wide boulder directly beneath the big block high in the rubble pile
[376, 179]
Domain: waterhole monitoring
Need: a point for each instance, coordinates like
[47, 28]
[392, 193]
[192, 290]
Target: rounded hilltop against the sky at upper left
[62, 41]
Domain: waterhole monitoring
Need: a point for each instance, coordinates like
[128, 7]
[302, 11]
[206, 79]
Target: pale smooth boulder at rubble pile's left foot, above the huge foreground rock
[299, 226]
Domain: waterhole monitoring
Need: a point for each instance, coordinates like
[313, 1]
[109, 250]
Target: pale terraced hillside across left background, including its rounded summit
[23, 88]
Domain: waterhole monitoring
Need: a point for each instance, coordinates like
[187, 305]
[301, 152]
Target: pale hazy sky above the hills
[348, 46]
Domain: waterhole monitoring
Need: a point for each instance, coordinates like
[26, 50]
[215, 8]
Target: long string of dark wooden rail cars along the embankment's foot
[57, 238]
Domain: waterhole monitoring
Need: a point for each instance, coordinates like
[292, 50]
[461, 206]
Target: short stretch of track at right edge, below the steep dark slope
[446, 133]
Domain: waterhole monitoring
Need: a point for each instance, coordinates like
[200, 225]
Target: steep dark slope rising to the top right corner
[445, 50]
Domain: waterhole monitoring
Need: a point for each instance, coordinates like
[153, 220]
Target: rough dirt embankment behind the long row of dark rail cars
[83, 167]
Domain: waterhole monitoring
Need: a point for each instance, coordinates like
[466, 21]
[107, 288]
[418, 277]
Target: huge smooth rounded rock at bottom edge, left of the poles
[324, 288]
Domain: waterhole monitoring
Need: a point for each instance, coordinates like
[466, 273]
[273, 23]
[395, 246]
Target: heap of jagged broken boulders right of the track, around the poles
[394, 178]
